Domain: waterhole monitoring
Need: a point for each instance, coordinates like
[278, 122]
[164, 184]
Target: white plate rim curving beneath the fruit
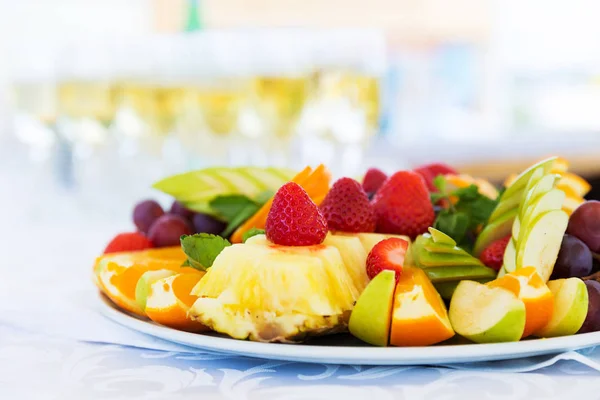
[351, 352]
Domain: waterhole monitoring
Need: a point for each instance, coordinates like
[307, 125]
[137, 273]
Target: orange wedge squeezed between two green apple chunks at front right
[528, 286]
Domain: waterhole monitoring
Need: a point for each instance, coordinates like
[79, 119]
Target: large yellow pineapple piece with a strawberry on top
[272, 293]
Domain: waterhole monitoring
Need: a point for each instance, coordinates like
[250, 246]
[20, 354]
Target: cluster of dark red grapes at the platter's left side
[165, 229]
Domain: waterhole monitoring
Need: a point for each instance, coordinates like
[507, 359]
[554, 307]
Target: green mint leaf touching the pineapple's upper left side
[202, 249]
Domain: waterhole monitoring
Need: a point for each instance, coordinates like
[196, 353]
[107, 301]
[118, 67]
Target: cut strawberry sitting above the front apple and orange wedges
[387, 254]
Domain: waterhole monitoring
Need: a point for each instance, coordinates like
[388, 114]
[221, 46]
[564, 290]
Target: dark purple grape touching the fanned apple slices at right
[574, 259]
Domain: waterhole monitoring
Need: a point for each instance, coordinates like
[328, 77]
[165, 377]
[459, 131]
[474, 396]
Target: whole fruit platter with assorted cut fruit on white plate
[419, 266]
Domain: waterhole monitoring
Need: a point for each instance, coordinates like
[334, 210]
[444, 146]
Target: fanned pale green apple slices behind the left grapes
[196, 189]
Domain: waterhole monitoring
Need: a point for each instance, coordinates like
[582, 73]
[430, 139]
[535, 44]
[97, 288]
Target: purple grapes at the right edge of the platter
[579, 248]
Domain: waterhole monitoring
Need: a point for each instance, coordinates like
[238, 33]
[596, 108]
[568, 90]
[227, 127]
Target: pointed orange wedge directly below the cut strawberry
[419, 317]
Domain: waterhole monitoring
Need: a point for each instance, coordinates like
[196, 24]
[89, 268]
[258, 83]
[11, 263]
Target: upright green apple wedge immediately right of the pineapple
[371, 317]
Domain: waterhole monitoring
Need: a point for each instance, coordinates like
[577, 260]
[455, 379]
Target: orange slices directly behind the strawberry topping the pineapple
[316, 183]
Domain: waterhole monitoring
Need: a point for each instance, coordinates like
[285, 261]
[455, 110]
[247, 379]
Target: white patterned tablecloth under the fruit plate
[48, 240]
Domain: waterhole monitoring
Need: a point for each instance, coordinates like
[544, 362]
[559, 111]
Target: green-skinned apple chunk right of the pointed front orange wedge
[485, 314]
